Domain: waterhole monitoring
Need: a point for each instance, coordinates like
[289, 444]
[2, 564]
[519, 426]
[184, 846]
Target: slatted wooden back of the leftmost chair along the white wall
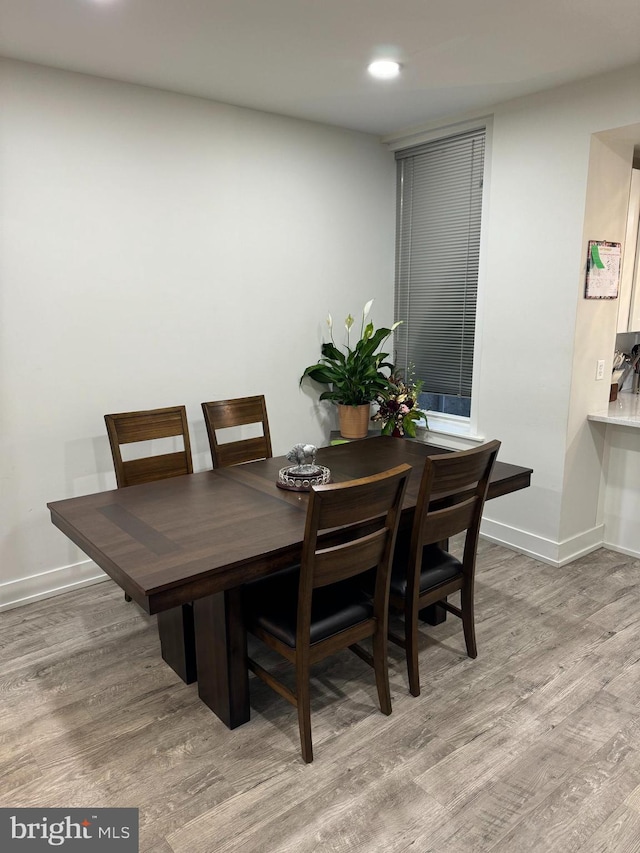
[130, 427]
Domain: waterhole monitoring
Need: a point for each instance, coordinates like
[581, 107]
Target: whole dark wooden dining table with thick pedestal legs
[183, 547]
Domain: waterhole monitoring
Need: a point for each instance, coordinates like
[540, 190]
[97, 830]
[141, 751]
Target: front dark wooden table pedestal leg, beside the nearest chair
[221, 649]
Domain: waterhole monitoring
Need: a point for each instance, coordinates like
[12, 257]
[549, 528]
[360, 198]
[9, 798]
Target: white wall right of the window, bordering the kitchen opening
[532, 394]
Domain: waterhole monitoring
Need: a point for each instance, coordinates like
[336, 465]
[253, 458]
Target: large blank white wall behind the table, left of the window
[157, 249]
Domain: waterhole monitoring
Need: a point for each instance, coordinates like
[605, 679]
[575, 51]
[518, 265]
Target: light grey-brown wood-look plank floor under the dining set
[534, 746]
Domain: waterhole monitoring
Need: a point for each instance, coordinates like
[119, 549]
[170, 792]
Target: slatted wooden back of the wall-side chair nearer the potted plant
[222, 414]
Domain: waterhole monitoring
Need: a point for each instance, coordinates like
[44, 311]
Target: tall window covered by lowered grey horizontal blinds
[439, 208]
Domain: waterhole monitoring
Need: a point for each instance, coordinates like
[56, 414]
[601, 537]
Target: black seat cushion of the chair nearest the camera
[272, 603]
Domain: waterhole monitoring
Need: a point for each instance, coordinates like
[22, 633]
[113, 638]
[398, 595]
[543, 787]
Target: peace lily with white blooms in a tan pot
[354, 378]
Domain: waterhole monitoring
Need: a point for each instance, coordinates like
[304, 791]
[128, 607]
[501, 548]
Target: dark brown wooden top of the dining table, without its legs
[175, 540]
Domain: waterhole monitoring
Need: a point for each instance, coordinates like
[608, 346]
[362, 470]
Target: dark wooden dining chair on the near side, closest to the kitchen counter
[452, 493]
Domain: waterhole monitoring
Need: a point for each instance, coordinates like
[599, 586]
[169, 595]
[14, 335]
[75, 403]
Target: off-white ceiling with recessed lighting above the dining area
[307, 58]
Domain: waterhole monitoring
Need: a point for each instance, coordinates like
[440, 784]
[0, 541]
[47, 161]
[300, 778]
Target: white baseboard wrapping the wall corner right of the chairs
[546, 550]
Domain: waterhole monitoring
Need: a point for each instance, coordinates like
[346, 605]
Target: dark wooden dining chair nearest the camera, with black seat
[320, 607]
